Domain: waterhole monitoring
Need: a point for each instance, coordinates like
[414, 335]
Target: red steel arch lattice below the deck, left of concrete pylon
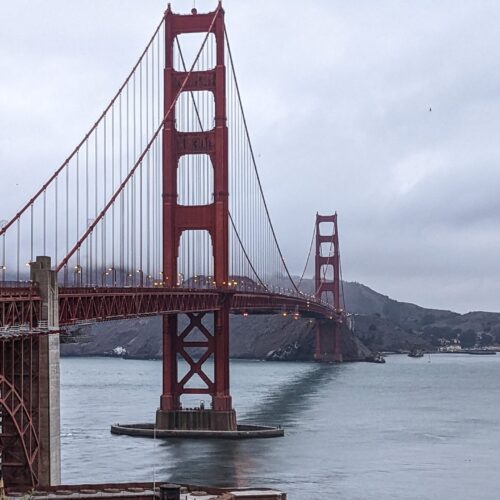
[19, 408]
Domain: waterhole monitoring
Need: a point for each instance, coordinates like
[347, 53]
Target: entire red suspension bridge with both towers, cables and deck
[158, 211]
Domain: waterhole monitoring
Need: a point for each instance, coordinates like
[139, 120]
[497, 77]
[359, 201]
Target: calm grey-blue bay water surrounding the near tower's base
[412, 428]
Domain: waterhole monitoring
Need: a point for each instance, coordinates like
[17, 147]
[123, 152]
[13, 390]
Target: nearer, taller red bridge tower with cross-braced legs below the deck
[213, 218]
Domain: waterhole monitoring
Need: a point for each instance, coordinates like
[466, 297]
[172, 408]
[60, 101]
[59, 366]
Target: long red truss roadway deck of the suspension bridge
[21, 305]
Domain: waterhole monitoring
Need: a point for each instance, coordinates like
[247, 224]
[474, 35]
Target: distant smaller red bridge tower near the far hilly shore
[327, 288]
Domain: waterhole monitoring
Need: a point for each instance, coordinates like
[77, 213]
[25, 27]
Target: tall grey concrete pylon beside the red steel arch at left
[49, 472]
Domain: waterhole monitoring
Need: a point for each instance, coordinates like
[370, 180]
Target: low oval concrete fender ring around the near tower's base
[241, 432]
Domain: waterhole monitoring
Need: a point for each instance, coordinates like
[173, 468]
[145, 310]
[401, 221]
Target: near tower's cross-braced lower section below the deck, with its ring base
[195, 344]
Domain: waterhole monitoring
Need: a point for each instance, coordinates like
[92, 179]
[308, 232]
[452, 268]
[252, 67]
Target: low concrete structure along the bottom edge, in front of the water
[139, 491]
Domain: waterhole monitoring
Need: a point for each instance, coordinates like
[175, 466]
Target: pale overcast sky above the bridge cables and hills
[338, 97]
